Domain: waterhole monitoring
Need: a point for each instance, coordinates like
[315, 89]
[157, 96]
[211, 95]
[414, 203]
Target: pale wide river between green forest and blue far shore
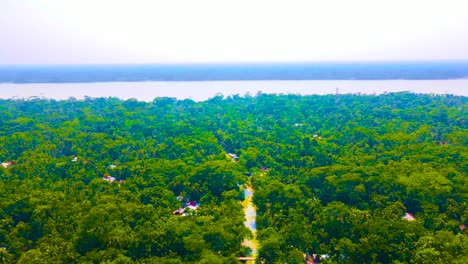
[203, 90]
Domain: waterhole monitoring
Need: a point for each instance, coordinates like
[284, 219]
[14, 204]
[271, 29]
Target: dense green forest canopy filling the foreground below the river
[333, 176]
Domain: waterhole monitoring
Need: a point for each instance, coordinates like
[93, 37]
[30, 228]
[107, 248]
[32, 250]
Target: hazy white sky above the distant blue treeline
[171, 31]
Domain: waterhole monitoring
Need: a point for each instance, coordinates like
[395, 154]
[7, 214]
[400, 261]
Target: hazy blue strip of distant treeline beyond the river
[213, 72]
